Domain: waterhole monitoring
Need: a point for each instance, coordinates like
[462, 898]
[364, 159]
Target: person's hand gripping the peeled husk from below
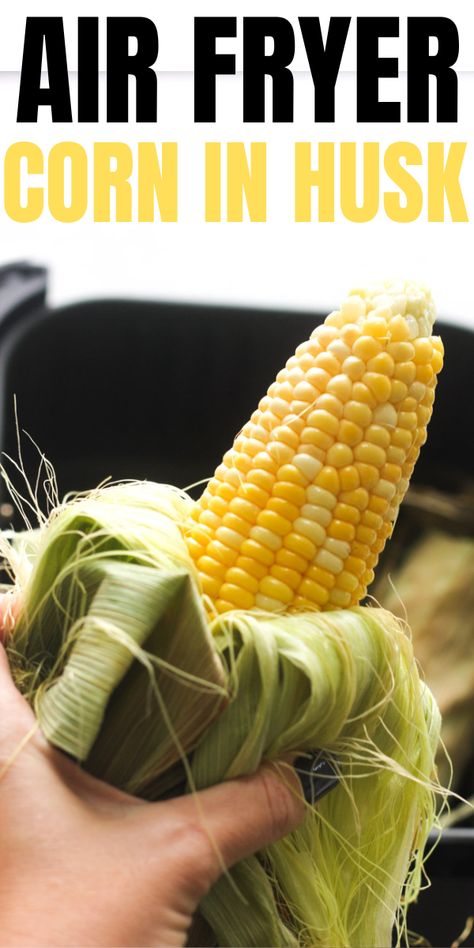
[84, 864]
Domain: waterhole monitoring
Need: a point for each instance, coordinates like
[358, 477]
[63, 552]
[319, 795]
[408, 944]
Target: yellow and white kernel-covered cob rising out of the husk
[300, 509]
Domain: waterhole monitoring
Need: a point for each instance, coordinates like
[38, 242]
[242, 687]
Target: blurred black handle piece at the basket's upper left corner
[22, 289]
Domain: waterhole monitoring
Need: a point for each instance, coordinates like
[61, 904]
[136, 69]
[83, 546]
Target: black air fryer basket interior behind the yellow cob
[158, 390]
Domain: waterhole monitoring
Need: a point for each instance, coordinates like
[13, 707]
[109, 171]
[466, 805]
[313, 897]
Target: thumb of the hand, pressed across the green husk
[240, 817]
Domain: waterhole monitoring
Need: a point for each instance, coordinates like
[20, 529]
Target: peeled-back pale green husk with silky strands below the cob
[114, 651]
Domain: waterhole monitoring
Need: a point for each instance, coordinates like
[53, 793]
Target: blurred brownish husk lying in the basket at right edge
[427, 578]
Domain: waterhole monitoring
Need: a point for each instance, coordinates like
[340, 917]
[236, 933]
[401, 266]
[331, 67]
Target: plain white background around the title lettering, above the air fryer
[278, 263]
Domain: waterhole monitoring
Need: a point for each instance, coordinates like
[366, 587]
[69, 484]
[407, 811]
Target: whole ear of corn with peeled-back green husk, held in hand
[114, 649]
